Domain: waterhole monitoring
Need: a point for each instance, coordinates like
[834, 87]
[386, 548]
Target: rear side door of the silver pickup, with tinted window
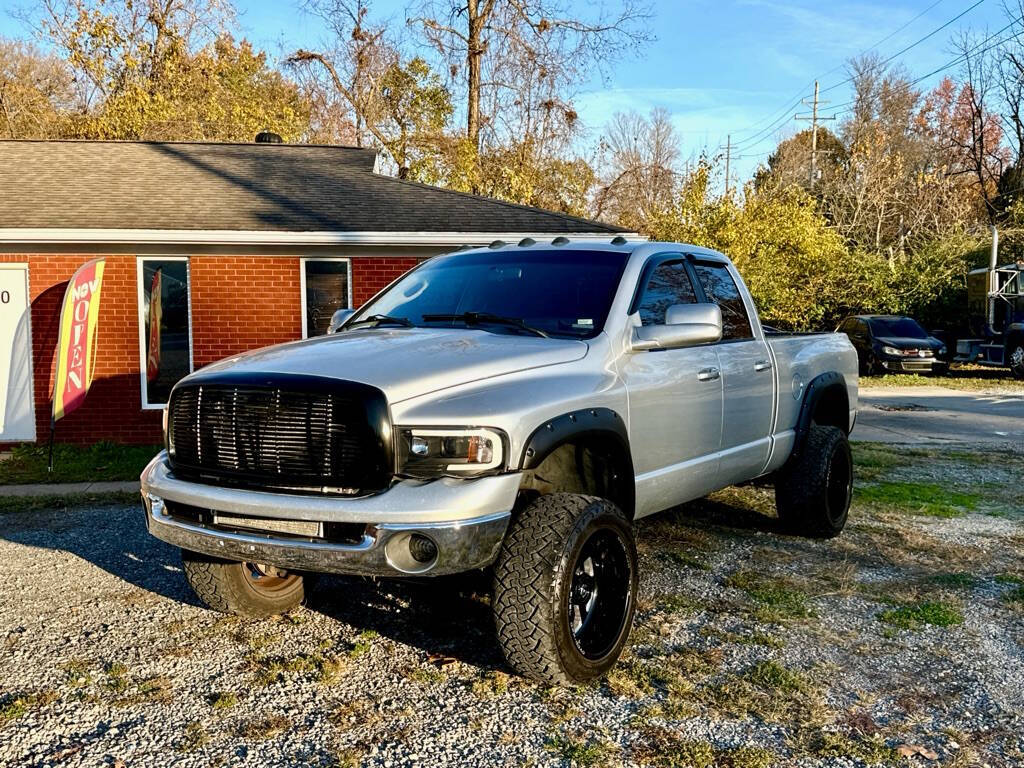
[748, 379]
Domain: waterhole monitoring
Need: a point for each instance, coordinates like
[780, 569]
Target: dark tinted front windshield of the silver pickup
[559, 292]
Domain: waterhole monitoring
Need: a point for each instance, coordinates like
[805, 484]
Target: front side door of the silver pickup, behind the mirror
[675, 401]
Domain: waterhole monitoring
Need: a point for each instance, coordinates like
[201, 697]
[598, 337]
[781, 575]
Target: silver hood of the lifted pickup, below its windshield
[405, 362]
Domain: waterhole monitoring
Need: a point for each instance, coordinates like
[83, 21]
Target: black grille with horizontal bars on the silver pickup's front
[295, 433]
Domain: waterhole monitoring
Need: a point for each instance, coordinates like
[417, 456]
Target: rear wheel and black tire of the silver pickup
[814, 490]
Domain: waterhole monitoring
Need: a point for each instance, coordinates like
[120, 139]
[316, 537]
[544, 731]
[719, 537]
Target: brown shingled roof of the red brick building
[134, 186]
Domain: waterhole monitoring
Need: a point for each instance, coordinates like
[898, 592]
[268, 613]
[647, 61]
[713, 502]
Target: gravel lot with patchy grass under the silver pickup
[903, 637]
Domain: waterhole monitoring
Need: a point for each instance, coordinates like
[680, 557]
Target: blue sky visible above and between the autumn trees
[720, 67]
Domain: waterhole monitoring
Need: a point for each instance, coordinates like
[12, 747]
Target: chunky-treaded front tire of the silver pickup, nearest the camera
[534, 580]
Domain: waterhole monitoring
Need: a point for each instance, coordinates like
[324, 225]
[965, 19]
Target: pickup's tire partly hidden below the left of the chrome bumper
[224, 586]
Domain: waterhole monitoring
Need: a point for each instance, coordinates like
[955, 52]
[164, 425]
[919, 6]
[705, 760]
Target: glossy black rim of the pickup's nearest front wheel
[600, 594]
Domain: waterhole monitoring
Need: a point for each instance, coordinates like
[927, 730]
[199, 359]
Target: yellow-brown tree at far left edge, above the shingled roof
[35, 90]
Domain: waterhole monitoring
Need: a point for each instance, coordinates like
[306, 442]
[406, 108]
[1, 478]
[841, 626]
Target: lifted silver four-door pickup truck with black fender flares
[513, 408]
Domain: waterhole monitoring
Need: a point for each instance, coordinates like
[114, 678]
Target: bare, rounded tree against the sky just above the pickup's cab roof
[641, 161]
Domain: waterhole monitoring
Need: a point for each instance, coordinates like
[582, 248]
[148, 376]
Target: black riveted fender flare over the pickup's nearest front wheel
[602, 423]
